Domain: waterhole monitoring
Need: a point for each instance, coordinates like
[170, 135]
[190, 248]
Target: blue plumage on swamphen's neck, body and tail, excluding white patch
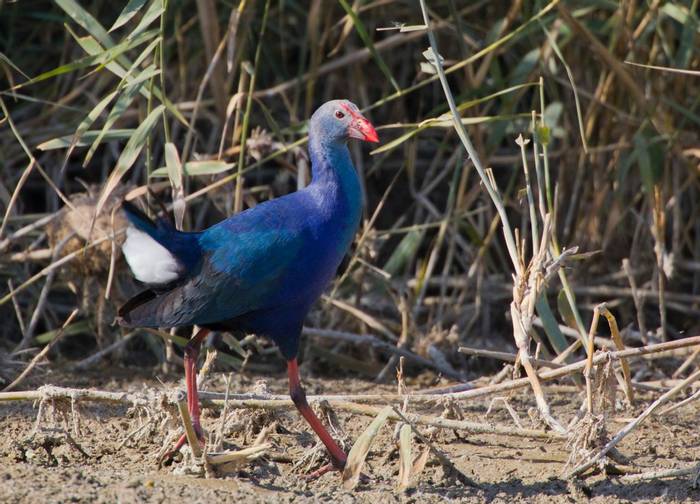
[261, 270]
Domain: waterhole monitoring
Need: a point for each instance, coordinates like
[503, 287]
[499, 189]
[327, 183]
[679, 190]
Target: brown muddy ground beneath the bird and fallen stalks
[106, 465]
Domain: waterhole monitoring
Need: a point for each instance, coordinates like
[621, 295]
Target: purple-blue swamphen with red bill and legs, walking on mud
[258, 271]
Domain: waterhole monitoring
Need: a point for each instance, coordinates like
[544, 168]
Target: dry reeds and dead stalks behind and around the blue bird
[538, 173]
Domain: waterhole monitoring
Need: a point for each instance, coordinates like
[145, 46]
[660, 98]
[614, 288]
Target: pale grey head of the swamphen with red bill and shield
[340, 120]
